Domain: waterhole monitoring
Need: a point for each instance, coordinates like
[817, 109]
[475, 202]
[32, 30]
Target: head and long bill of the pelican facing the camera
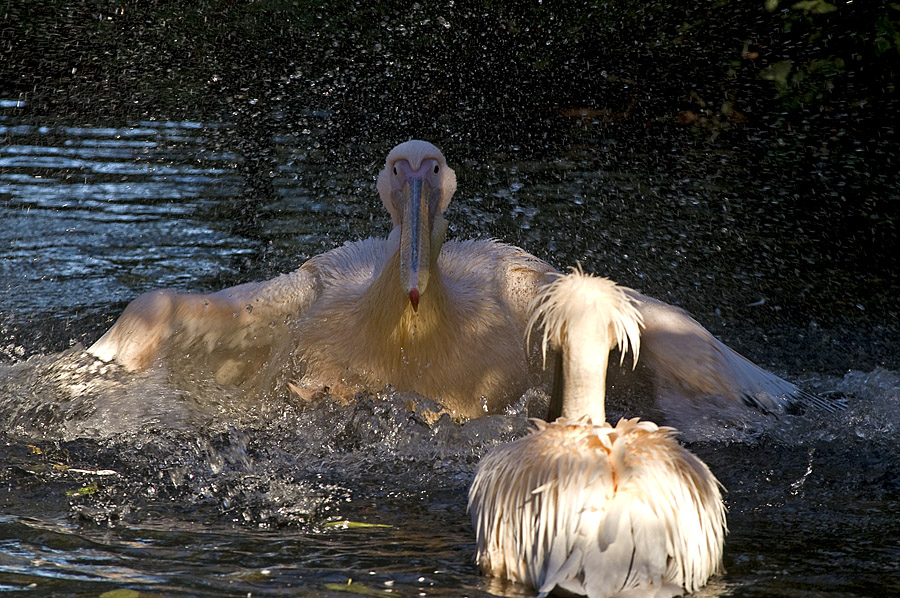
[416, 186]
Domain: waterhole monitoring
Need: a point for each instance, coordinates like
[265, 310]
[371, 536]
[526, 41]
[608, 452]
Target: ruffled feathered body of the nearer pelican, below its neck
[598, 510]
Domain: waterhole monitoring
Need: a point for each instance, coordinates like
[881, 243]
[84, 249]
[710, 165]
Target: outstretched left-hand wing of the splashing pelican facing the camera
[229, 330]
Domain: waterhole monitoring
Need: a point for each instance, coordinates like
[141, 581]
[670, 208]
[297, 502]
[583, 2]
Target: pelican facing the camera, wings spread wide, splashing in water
[444, 319]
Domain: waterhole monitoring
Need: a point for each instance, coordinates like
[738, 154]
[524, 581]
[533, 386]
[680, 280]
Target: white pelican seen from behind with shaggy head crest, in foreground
[589, 508]
